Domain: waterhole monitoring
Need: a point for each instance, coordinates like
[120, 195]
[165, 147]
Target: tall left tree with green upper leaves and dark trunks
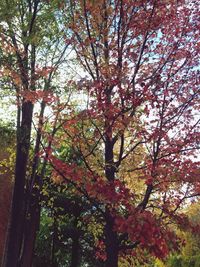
[32, 51]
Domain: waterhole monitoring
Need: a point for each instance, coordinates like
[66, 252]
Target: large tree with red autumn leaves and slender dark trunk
[141, 61]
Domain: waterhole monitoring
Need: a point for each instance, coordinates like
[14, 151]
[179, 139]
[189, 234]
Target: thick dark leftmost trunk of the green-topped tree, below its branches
[18, 209]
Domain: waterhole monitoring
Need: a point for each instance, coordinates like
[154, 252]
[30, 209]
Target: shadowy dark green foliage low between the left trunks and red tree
[62, 221]
